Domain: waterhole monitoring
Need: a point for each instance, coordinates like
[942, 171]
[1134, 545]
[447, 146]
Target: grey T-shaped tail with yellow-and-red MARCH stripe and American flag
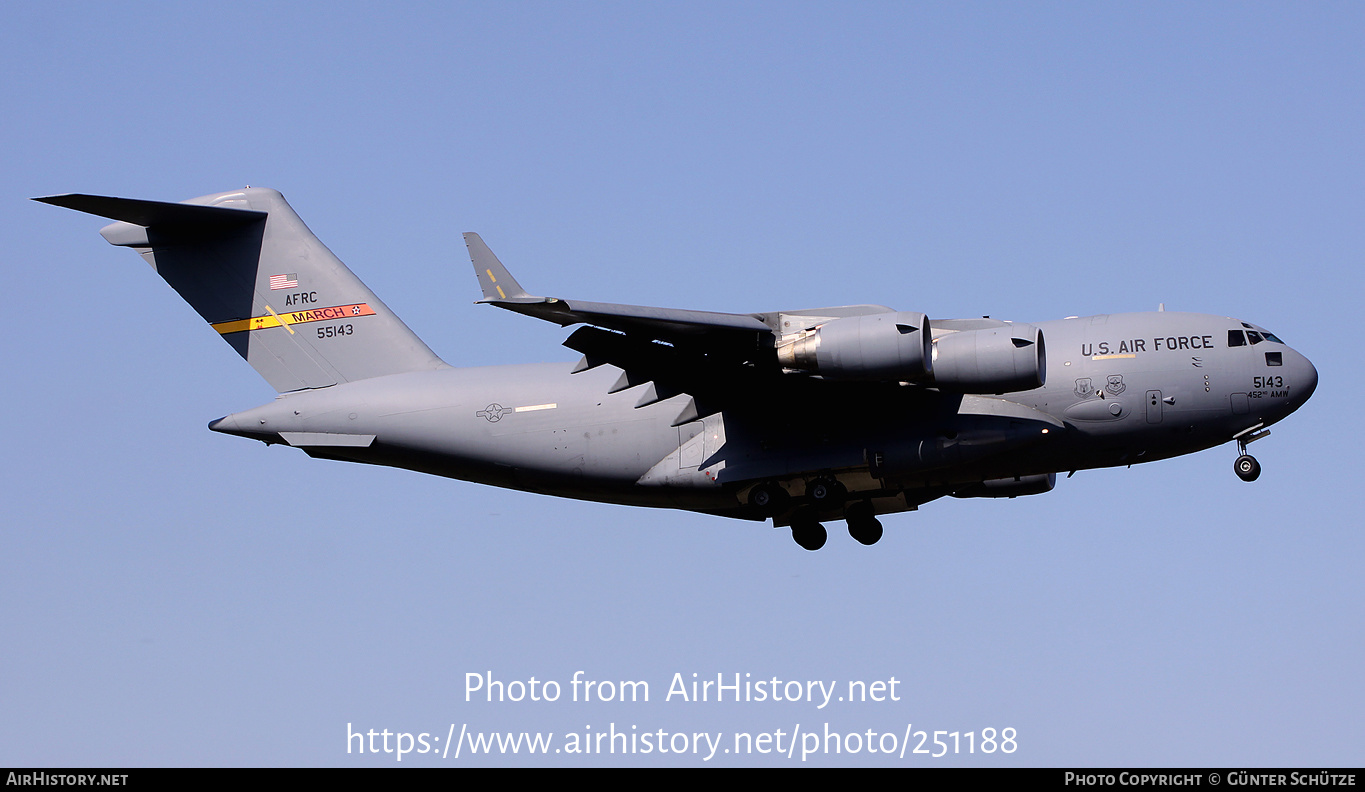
[267, 285]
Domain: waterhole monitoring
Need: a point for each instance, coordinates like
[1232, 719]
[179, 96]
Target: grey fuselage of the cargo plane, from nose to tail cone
[1120, 390]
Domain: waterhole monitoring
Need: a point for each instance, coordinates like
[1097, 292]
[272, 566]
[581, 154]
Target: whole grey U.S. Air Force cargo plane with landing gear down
[801, 417]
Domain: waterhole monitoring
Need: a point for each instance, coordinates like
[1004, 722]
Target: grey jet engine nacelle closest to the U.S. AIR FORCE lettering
[990, 361]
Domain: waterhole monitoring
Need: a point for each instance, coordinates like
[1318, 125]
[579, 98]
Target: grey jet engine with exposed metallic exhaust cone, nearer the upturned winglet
[891, 346]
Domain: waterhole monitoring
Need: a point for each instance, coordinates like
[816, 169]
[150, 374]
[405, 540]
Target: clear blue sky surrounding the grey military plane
[170, 596]
